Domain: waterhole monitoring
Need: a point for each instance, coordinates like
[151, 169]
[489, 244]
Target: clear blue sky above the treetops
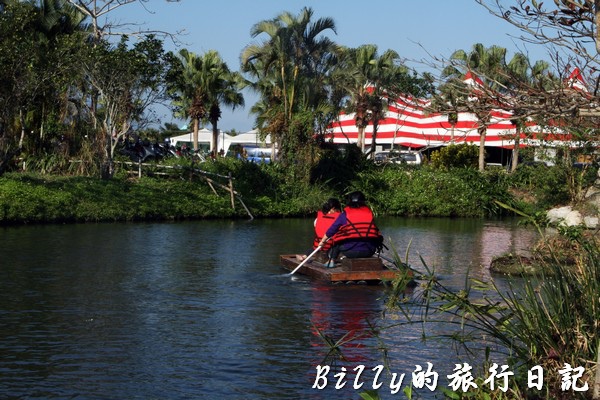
[415, 29]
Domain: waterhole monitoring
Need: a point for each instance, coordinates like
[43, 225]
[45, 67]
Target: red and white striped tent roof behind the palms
[407, 123]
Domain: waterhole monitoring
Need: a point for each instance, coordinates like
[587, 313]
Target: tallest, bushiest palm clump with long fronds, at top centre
[287, 70]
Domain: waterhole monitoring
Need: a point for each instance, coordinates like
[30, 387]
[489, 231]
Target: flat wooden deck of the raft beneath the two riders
[341, 273]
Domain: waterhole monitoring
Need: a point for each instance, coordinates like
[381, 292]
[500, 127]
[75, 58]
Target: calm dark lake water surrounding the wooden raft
[202, 310]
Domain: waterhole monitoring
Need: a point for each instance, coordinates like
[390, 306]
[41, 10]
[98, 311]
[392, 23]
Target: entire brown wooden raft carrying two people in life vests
[369, 270]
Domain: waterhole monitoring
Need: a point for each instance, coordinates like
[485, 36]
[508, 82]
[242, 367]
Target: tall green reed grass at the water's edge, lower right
[548, 320]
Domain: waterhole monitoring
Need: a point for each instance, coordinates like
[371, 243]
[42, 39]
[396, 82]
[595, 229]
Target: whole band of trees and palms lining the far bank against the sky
[64, 77]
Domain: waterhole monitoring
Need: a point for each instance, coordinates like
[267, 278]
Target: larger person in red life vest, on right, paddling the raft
[354, 232]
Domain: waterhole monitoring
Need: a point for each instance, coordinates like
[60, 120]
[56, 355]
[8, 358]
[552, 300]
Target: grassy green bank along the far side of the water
[267, 191]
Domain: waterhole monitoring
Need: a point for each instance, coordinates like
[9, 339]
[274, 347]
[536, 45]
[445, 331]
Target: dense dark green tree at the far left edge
[41, 47]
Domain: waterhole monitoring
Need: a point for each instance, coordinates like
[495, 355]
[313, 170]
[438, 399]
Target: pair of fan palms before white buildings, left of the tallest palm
[204, 83]
